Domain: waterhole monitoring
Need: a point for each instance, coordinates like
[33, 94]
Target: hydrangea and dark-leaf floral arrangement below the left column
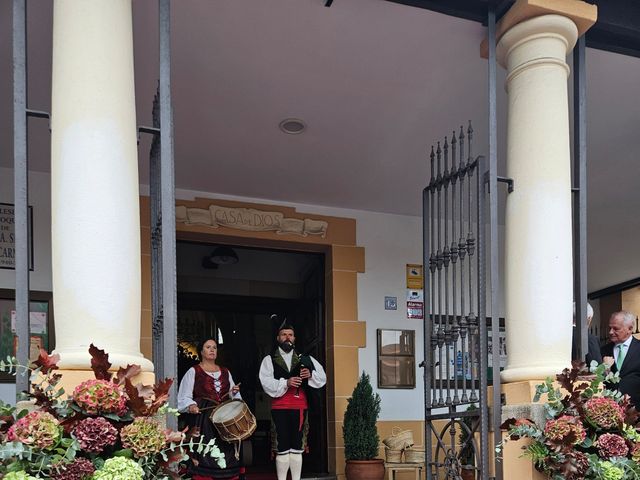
[107, 429]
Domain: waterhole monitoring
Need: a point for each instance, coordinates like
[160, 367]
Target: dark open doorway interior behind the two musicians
[232, 302]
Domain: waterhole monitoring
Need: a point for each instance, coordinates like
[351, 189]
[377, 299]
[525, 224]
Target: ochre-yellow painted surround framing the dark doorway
[344, 260]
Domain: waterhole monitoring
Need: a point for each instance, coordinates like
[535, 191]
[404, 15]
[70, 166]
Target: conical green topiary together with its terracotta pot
[360, 434]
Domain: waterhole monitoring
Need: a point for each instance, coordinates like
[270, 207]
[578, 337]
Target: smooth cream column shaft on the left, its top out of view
[94, 184]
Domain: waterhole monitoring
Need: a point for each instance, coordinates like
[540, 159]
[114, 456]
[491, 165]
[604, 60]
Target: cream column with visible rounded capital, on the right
[538, 248]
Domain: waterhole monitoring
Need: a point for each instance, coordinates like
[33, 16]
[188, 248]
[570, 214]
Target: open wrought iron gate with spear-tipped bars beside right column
[455, 330]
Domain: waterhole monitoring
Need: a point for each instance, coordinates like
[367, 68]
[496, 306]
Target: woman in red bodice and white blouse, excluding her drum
[201, 389]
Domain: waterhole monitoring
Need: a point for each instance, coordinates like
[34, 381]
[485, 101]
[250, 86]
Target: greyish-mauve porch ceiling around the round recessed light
[375, 81]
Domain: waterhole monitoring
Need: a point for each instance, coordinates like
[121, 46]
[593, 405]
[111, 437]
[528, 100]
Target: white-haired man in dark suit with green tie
[623, 354]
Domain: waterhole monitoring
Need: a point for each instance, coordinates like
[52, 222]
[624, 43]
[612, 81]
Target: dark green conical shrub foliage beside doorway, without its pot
[359, 427]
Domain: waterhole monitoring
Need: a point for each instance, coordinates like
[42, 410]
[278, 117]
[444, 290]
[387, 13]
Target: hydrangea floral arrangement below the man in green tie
[591, 431]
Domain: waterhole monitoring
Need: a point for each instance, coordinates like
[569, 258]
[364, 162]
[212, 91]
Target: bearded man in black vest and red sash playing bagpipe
[285, 376]
